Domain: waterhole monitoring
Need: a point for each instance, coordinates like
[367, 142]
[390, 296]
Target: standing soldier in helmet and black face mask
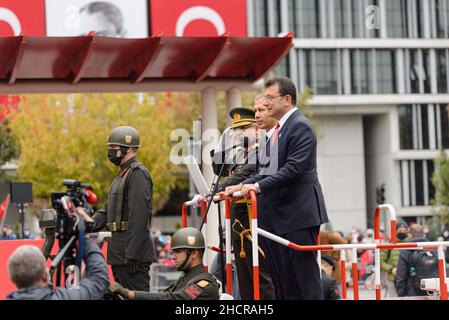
[127, 212]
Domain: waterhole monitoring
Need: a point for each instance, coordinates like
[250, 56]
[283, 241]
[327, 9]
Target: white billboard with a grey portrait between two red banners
[111, 18]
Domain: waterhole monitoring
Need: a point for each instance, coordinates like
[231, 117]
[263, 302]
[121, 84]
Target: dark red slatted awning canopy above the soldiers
[74, 60]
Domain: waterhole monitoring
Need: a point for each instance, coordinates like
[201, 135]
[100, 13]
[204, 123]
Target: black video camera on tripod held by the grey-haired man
[64, 223]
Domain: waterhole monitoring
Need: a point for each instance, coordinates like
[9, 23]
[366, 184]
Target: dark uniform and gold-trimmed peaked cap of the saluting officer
[243, 167]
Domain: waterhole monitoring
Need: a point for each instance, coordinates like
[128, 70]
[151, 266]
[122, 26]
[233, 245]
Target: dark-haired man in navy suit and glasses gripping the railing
[290, 199]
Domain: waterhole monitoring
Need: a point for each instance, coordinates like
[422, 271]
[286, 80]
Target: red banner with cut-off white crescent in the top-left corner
[22, 17]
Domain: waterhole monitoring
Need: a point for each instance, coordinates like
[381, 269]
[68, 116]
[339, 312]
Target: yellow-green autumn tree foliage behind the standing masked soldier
[64, 136]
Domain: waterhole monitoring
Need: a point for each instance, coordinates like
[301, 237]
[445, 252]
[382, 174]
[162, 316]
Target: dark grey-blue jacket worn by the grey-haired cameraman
[92, 287]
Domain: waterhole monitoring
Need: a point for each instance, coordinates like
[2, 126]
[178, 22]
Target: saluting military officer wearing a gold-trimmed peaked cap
[244, 165]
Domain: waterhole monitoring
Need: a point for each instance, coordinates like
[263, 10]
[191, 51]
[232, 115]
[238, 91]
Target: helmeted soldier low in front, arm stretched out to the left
[194, 284]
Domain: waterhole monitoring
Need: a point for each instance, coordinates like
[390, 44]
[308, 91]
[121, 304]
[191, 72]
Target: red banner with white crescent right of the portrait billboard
[198, 17]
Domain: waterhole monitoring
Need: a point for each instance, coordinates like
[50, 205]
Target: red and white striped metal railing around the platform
[377, 246]
